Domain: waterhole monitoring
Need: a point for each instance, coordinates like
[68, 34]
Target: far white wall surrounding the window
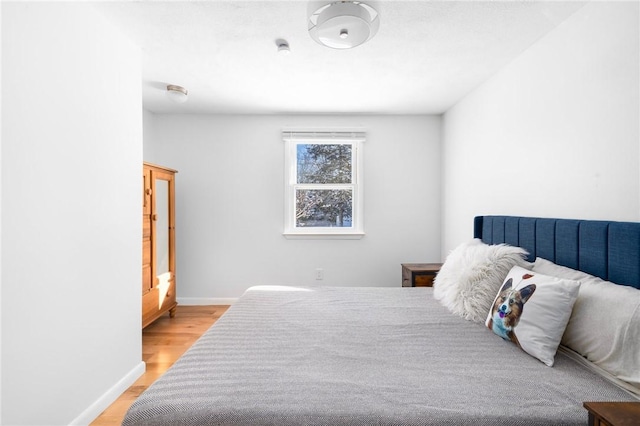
[230, 202]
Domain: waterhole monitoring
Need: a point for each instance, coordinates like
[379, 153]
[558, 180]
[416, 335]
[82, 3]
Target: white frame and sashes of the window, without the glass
[294, 138]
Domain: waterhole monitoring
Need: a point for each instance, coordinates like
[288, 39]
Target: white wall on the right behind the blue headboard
[555, 133]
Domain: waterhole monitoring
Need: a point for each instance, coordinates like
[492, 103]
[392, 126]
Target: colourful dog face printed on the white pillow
[508, 308]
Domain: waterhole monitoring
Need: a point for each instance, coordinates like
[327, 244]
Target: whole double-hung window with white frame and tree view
[323, 189]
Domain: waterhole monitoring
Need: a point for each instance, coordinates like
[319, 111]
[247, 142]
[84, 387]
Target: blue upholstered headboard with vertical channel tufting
[609, 250]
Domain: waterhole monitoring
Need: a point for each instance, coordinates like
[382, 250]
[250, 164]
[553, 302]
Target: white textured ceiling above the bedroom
[426, 56]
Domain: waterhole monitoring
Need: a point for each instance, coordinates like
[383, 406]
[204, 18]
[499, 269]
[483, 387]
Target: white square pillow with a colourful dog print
[532, 310]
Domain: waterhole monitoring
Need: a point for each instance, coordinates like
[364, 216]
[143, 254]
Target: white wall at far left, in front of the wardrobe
[71, 166]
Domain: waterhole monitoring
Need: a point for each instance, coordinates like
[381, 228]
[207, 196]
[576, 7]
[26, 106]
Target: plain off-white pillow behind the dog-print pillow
[605, 324]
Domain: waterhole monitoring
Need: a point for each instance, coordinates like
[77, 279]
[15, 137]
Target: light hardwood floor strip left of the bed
[163, 342]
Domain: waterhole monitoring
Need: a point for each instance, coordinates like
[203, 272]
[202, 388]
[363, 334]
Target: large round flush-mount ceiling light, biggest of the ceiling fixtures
[343, 24]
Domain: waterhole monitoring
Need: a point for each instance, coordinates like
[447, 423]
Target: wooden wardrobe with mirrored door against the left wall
[158, 243]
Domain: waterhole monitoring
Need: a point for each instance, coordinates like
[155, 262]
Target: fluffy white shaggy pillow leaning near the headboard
[471, 275]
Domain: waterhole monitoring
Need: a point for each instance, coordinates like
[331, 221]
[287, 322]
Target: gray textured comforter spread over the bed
[362, 356]
